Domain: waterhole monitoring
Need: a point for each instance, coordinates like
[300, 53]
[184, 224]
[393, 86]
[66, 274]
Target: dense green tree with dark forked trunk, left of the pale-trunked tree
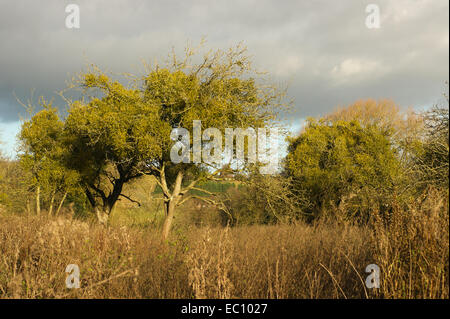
[109, 138]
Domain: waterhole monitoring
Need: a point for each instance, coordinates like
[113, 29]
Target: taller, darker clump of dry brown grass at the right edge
[413, 249]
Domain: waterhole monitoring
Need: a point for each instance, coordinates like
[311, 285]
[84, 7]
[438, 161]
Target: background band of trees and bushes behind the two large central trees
[370, 156]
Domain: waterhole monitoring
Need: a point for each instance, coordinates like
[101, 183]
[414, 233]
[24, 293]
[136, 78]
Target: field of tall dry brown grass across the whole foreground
[322, 260]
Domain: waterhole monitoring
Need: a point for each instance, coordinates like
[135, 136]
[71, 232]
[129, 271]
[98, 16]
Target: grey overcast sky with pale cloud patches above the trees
[323, 49]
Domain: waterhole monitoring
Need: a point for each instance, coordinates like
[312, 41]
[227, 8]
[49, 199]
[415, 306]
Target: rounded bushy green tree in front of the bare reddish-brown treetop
[342, 161]
